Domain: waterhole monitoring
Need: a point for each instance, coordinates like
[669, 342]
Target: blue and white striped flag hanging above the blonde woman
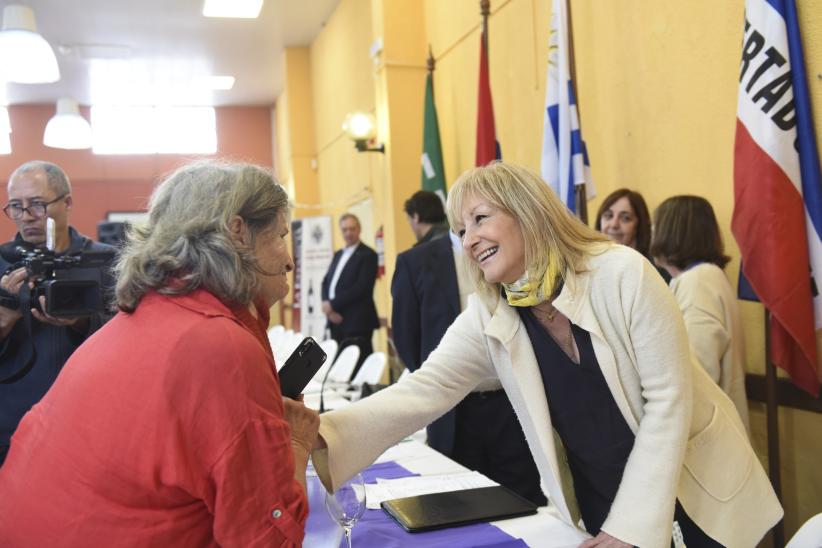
[564, 159]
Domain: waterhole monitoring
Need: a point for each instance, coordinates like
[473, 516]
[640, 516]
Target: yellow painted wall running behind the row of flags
[657, 83]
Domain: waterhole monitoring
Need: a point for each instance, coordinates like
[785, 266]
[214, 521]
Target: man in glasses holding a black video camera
[38, 336]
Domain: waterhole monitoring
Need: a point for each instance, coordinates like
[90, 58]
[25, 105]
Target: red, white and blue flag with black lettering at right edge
[777, 218]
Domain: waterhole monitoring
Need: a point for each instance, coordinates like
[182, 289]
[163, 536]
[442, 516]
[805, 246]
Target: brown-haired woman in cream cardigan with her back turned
[687, 243]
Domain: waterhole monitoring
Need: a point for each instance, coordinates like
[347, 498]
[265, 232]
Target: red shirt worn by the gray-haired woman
[165, 428]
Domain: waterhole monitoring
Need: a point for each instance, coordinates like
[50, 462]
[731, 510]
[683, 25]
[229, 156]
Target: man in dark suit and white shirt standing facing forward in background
[348, 291]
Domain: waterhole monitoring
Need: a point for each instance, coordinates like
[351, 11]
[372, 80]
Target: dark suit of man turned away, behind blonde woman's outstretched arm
[430, 288]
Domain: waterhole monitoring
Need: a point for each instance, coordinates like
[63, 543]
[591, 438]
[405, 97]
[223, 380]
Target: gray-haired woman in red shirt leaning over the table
[167, 427]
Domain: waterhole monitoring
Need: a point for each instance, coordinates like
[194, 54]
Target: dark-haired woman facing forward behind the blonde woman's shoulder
[623, 217]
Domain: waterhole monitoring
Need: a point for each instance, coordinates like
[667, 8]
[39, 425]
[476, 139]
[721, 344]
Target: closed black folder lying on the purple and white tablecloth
[440, 510]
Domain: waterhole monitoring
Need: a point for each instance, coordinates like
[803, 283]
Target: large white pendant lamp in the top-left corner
[25, 56]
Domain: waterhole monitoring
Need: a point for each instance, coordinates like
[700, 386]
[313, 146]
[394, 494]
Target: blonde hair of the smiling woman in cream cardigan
[548, 227]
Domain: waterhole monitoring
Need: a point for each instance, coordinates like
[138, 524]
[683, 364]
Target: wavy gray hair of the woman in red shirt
[187, 242]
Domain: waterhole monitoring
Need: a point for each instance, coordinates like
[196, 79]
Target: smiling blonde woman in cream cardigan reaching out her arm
[587, 341]
